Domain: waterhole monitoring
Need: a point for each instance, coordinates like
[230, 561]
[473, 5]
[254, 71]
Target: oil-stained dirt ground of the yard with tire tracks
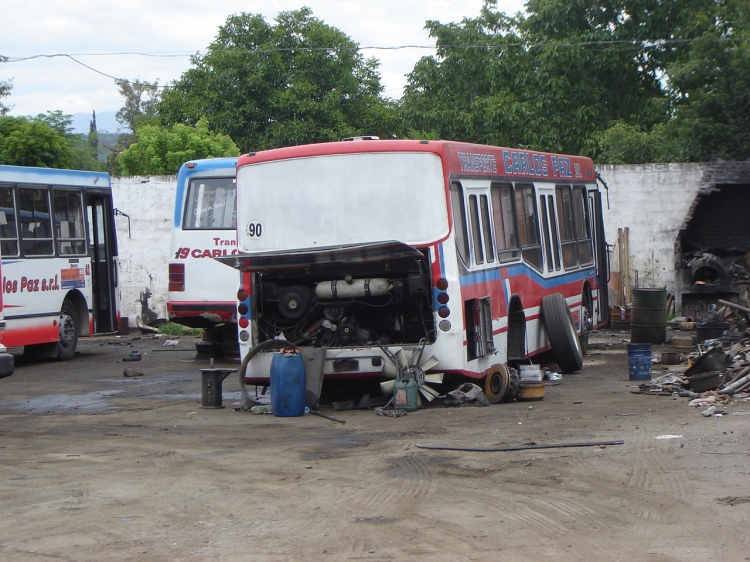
[98, 466]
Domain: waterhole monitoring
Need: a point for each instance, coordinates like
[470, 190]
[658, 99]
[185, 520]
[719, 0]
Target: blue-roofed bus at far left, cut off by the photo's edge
[59, 257]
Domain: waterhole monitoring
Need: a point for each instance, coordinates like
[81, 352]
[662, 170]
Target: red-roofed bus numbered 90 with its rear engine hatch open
[430, 259]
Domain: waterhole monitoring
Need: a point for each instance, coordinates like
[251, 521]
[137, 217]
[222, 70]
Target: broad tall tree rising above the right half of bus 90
[555, 78]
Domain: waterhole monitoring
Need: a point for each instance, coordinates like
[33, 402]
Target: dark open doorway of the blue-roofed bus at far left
[102, 252]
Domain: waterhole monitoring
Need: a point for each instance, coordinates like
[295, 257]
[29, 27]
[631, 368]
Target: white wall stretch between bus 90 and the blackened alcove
[651, 200]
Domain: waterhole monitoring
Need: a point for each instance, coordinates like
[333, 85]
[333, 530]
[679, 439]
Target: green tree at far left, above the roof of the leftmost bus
[32, 142]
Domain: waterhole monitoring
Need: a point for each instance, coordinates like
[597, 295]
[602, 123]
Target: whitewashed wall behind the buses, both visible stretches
[651, 200]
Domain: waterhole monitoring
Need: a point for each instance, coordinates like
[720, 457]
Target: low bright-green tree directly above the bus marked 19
[161, 151]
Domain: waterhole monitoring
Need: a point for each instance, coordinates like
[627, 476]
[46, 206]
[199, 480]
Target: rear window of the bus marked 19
[210, 204]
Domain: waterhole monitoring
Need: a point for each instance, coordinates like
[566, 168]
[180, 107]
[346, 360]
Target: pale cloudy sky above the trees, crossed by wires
[91, 31]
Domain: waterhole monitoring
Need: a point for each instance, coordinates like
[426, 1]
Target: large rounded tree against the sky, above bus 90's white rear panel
[295, 82]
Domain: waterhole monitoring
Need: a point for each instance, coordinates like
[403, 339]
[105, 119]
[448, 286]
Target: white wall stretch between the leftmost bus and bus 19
[149, 201]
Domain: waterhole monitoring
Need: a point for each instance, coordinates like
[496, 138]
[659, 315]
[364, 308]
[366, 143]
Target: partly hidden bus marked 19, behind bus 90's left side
[201, 290]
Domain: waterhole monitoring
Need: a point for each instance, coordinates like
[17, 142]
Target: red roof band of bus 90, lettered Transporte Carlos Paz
[459, 158]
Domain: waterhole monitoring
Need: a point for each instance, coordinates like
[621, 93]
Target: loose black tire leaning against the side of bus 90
[566, 347]
